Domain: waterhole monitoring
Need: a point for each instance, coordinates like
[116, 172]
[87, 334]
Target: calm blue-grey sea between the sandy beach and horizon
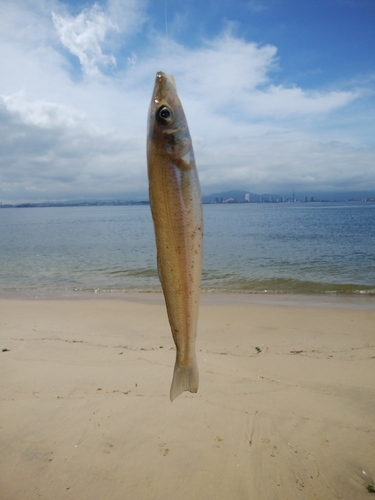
[274, 248]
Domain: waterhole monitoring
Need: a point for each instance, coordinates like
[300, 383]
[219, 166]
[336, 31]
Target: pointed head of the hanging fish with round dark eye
[167, 125]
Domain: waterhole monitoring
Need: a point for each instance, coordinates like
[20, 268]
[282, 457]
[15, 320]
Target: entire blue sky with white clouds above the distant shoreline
[279, 94]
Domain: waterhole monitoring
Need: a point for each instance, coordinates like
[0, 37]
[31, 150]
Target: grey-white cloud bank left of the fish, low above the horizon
[50, 151]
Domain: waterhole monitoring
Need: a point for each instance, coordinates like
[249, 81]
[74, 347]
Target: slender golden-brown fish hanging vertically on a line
[176, 207]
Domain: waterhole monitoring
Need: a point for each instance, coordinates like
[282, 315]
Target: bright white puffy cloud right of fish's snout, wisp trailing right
[235, 77]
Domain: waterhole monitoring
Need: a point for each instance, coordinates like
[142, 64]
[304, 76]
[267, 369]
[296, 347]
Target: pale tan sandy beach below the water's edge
[285, 408]
